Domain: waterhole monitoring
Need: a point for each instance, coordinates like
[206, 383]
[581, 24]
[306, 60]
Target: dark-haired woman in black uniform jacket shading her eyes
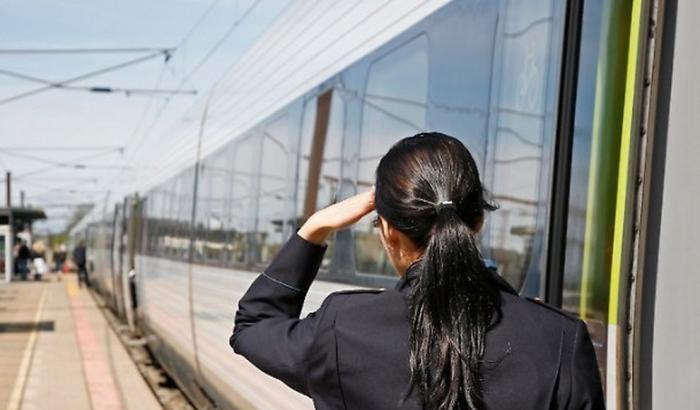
[452, 335]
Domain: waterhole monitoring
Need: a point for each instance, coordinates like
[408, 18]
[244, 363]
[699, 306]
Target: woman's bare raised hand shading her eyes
[337, 216]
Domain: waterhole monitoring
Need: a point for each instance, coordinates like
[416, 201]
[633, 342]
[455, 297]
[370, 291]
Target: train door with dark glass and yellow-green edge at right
[589, 189]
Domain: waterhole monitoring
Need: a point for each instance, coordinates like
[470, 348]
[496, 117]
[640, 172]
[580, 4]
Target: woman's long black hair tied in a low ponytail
[428, 187]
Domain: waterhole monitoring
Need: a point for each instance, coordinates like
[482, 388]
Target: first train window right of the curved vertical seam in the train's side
[213, 195]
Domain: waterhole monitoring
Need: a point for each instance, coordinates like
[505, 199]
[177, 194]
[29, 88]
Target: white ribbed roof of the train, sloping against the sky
[308, 44]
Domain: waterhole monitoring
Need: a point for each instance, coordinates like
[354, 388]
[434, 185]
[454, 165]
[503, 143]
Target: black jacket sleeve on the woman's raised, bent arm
[268, 331]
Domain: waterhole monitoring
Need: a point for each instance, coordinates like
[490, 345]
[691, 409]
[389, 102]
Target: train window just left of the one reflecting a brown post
[273, 221]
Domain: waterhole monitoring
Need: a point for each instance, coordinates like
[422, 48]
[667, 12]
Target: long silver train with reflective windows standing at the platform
[565, 108]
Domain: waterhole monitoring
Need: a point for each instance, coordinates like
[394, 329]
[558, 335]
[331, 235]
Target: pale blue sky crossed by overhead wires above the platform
[78, 118]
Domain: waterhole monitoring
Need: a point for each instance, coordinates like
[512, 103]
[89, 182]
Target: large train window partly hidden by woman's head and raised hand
[394, 106]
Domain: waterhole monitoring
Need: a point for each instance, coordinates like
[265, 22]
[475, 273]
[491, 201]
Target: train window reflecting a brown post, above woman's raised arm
[320, 158]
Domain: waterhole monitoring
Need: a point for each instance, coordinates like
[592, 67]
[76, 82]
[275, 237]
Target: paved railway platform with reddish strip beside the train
[57, 351]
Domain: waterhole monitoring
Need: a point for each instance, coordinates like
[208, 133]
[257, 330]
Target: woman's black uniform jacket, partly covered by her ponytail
[352, 353]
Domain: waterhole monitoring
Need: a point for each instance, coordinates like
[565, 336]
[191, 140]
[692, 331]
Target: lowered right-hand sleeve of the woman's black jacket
[586, 387]
